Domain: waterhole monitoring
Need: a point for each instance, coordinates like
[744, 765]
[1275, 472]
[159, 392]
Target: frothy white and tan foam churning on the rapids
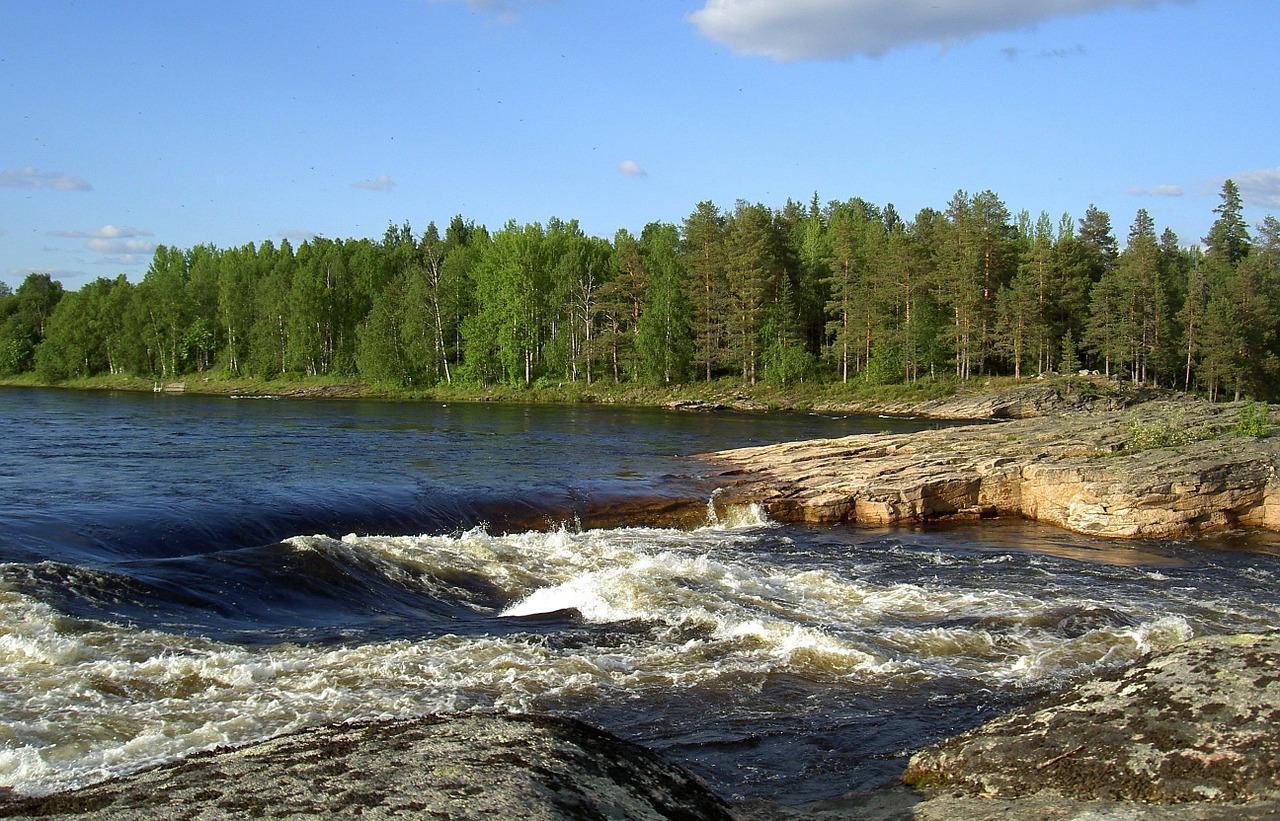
[636, 614]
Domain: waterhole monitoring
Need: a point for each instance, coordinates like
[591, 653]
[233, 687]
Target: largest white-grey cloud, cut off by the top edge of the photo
[833, 30]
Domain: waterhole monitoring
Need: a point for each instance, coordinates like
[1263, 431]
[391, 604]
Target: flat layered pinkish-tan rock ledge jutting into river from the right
[1091, 472]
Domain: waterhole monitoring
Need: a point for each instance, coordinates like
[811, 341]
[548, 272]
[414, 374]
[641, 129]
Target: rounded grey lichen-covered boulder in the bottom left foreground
[532, 768]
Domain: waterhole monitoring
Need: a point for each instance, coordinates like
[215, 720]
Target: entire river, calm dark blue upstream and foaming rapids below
[182, 573]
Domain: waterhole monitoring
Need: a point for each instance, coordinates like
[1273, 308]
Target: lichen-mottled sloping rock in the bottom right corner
[1196, 724]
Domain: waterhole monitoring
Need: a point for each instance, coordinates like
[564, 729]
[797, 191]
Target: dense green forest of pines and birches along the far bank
[845, 293]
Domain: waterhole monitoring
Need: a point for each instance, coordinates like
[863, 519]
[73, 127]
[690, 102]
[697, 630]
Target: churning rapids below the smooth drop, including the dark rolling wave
[733, 636]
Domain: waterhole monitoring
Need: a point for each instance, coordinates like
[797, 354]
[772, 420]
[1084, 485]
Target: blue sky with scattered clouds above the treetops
[134, 124]
